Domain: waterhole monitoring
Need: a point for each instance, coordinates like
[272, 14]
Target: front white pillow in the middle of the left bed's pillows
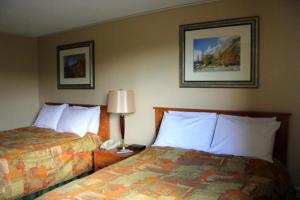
[75, 120]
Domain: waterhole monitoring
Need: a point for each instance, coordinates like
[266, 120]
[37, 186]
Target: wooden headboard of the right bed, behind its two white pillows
[281, 138]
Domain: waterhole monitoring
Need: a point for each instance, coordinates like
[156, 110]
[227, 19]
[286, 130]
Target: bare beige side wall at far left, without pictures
[18, 81]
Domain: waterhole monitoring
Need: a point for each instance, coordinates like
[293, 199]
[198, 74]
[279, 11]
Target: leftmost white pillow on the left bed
[49, 116]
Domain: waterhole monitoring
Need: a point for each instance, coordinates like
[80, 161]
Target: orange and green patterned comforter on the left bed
[32, 159]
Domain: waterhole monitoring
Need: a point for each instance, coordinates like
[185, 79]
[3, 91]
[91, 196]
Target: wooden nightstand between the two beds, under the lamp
[104, 158]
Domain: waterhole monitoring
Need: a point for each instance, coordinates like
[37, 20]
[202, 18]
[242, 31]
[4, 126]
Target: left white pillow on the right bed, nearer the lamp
[187, 132]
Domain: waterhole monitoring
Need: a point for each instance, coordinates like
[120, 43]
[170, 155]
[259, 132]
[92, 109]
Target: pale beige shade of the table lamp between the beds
[121, 101]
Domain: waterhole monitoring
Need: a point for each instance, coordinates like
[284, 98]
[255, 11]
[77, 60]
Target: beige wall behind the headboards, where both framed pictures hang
[141, 53]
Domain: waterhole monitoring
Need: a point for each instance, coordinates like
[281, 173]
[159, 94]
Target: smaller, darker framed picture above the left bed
[75, 66]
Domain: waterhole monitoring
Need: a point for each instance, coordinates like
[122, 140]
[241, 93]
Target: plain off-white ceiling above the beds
[36, 18]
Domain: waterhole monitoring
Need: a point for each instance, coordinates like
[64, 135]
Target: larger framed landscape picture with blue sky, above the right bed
[220, 53]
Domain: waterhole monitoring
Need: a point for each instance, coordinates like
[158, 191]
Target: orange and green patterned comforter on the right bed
[172, 173]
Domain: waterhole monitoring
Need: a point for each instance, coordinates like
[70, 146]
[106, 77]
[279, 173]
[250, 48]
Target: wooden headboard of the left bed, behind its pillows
[104, 130]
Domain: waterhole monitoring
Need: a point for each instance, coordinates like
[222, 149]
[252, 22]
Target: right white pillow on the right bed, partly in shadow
[245, 136]
